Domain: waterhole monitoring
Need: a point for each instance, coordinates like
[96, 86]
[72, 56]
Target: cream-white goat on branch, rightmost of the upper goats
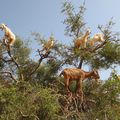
[96, 38]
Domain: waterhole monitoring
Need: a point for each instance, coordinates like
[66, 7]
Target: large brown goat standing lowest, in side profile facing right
[78, 75]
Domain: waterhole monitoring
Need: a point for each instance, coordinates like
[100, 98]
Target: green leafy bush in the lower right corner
[106, 96]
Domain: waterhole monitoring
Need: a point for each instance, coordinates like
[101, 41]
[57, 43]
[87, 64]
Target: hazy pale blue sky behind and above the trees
[44, 16]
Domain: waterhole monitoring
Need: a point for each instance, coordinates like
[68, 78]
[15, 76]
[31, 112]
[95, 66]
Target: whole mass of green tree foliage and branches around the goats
[32, 89]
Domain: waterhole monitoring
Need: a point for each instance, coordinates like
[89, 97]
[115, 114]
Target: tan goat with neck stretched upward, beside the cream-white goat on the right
[81, 41]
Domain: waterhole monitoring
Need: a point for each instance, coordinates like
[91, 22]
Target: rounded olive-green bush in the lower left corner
[27, 102]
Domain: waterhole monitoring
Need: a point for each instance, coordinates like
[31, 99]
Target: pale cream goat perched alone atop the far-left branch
[9, 37]
